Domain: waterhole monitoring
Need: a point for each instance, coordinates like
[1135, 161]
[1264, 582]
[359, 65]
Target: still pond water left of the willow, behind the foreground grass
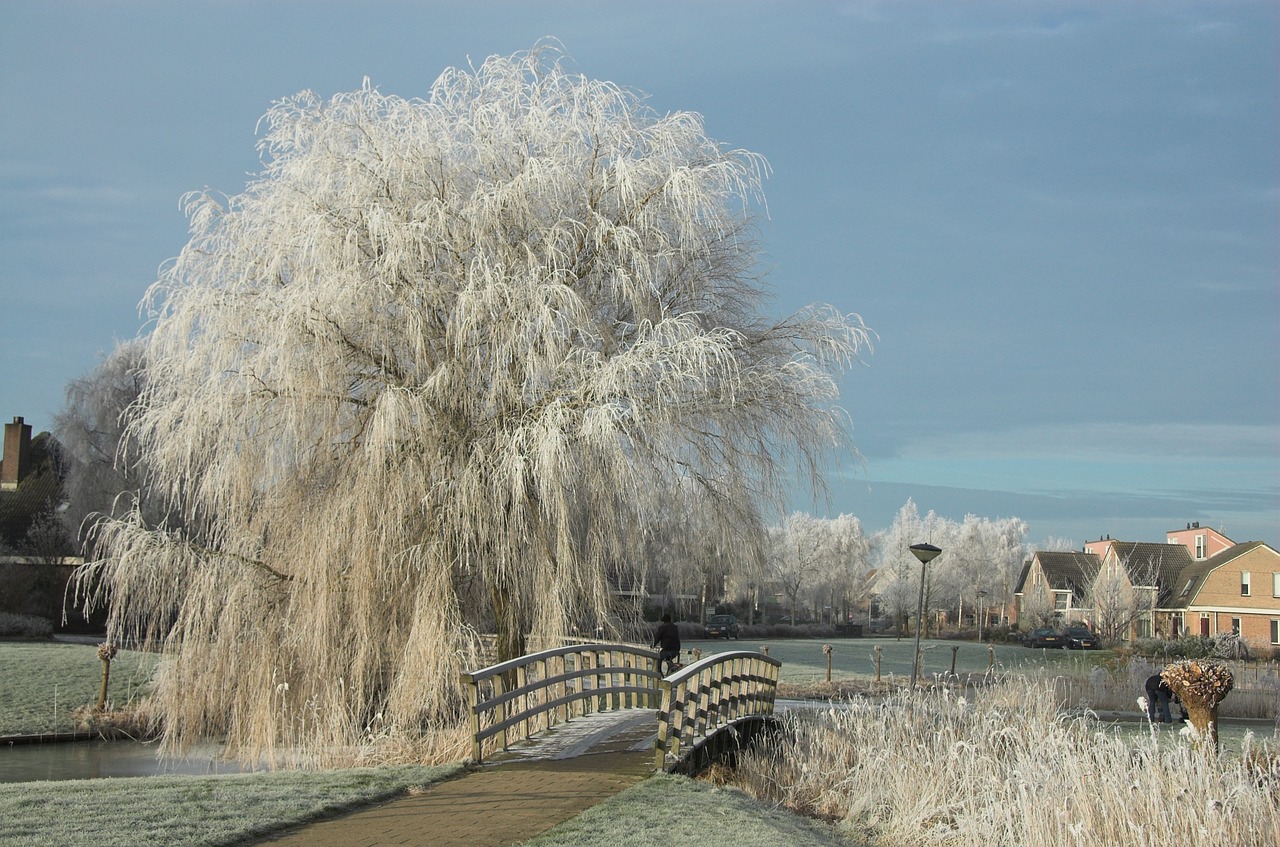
[99, 759]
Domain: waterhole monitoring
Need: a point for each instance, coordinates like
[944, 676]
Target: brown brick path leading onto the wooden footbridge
[525, 794]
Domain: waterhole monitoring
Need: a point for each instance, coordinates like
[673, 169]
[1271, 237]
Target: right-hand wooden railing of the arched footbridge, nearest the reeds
[710, 694]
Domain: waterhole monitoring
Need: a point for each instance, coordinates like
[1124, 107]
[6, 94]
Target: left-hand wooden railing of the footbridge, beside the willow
[516, 699]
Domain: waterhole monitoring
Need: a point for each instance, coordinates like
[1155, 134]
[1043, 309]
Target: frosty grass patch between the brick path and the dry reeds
[674, 811]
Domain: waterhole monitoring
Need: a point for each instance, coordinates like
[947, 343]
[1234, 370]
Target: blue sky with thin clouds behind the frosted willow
[1063, 219]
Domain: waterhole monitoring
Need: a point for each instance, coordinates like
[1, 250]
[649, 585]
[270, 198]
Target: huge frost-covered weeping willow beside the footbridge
[429, 376]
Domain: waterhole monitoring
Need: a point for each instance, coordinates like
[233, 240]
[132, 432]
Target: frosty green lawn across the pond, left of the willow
[47, 683]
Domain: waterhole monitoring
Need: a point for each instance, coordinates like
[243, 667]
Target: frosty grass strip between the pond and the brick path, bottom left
[199, 812]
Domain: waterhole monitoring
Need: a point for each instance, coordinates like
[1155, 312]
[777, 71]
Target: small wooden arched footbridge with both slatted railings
[591, 692]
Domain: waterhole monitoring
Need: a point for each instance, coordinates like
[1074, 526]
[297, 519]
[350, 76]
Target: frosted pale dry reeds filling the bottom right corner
[1011, 767]
